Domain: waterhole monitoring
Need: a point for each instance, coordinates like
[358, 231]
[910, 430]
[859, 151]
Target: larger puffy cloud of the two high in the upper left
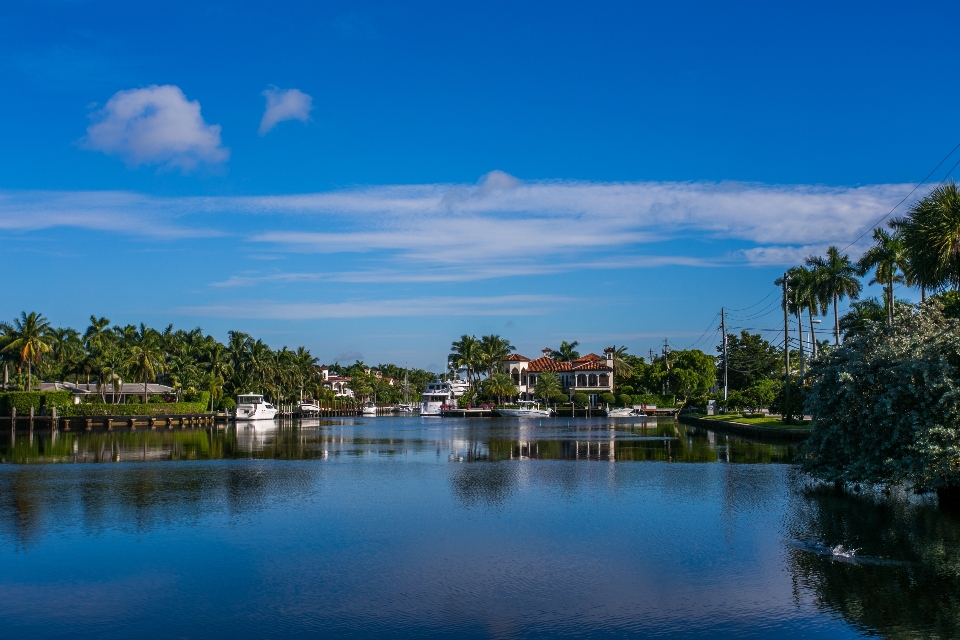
[155, 125]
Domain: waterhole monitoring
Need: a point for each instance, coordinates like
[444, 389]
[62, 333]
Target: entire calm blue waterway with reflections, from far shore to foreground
[442, 528]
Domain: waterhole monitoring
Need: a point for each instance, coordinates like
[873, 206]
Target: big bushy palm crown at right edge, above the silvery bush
[931, 238]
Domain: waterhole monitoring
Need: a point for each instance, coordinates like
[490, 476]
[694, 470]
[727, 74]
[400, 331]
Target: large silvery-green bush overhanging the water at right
[886, 405]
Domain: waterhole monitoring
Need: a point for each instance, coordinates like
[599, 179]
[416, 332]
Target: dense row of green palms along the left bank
[190, 362]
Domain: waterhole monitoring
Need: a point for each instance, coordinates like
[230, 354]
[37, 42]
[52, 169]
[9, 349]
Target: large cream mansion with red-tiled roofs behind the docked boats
[590, 374]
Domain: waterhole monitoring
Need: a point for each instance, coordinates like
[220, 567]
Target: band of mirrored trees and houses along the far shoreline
[461, 440]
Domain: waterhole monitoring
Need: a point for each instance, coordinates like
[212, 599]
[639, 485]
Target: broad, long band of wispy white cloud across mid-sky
[498, 226]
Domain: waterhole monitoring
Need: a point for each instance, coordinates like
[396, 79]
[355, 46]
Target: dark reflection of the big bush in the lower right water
[907, 581]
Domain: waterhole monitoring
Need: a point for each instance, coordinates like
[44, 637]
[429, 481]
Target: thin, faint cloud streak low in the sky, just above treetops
[514, 305]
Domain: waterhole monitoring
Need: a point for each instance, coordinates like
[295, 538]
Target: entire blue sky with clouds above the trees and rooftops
[374, 179]
